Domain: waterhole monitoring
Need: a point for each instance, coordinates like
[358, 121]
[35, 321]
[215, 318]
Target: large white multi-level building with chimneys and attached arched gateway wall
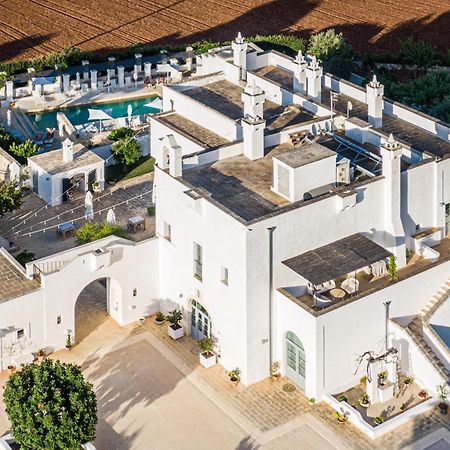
[268, 205]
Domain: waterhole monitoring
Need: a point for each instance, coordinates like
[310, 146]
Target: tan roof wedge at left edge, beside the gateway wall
[13, 282]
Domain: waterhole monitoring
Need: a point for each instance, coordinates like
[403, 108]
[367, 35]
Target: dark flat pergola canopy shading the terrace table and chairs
[337, 259]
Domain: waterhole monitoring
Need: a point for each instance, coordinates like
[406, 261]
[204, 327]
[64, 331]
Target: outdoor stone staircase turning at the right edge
[415, 329]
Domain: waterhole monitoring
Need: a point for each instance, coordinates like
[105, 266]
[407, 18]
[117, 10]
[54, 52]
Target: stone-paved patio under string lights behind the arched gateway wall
[37, 217]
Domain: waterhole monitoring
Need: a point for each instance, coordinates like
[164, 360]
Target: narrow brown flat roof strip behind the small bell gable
[191, 130]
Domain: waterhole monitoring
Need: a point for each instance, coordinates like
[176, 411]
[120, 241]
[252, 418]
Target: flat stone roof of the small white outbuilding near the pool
[52, 162]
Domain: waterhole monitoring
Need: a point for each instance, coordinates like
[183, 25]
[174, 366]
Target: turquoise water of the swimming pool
[79, 115]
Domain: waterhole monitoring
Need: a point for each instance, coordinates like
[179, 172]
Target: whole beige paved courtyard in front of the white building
[153, 394]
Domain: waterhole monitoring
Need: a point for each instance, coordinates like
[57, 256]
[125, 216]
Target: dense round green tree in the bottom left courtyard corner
[50, 406]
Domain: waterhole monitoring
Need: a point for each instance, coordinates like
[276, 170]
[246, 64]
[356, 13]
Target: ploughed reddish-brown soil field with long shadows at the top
[30, 28]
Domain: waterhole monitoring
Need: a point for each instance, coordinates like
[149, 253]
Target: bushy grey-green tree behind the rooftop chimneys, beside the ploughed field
[335, 52]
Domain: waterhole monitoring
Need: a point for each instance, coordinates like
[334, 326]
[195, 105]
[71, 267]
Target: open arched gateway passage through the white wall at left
[93, 306]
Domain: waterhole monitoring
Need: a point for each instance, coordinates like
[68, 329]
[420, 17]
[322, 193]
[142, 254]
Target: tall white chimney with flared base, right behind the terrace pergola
[391, 153]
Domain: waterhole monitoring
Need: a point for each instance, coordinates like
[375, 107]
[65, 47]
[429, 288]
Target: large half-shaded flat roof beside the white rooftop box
[241, 185]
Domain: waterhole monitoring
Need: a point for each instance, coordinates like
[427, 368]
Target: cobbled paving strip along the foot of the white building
[266, 406]
